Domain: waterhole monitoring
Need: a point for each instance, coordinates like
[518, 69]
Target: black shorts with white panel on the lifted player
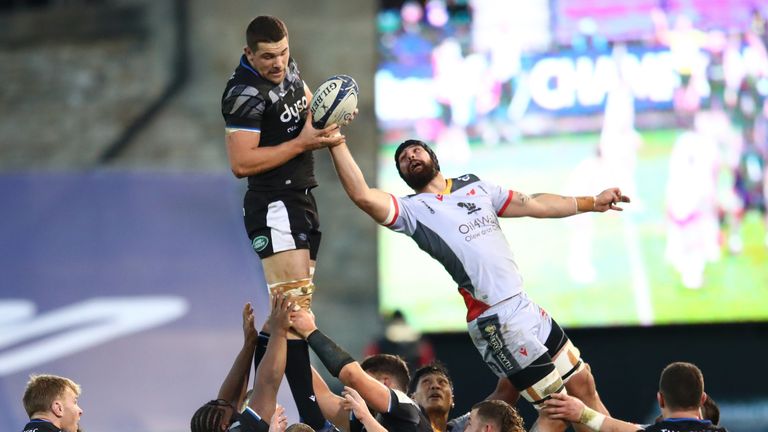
[282, 220]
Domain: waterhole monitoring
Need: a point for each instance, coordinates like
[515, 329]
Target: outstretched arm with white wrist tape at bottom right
[564, 407]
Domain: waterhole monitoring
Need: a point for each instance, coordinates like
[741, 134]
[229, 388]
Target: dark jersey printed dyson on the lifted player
[277, 112]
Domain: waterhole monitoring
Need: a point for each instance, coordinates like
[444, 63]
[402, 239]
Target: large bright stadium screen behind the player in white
[664, 99]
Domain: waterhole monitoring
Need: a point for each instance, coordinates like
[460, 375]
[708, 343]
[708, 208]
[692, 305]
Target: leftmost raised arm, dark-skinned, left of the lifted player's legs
[234, 386]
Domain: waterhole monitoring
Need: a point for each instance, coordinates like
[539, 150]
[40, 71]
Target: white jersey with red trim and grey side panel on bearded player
[460, 229]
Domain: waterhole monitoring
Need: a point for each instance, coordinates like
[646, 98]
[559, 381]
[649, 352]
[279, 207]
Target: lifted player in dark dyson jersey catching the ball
[270, 139]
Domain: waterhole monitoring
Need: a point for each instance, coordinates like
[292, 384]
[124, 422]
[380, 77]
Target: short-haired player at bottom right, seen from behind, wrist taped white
[681, 397]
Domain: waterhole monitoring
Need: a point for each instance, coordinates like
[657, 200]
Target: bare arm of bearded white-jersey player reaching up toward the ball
[377, 203]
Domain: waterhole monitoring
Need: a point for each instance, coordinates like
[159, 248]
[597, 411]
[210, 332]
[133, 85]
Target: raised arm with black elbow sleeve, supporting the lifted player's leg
[340, 364]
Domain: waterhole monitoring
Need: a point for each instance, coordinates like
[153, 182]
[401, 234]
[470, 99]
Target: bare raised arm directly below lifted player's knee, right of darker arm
[272, 367]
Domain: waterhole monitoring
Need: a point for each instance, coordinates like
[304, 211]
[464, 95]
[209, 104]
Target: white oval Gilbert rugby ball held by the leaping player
[334, 101]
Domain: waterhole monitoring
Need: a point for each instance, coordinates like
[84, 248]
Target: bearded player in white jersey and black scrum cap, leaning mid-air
[517, 339]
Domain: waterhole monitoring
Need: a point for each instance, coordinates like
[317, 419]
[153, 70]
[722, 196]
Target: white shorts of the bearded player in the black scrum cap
[511, 334]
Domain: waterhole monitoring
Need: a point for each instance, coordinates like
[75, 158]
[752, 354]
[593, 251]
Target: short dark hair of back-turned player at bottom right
[682, 385]
